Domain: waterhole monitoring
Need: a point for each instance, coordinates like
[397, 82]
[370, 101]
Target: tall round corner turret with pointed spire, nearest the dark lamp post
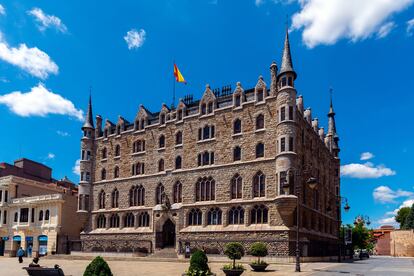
[286, 120]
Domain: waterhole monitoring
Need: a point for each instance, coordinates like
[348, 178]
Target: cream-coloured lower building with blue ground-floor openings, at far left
[36, 210]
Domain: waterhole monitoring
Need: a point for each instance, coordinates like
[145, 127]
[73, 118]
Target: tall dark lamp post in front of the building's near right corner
[312, 183]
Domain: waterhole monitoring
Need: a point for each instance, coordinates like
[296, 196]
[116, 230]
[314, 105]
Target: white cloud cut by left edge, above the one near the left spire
[31, 60]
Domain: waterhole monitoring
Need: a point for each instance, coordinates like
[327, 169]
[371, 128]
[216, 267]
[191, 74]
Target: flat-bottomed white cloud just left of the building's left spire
[39, 101]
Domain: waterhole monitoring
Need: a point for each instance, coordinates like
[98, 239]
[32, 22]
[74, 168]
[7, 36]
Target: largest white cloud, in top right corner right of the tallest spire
[327, 21]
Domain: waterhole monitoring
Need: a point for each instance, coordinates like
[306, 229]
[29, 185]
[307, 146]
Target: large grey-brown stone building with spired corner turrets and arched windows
[222, 168]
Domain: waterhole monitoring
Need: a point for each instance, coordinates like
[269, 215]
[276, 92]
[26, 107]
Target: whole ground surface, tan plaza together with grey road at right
[374, 266]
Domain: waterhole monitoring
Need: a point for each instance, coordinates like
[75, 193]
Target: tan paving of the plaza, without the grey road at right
[11, 267]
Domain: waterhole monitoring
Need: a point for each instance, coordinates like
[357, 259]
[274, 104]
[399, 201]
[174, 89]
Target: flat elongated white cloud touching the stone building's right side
[367, 170]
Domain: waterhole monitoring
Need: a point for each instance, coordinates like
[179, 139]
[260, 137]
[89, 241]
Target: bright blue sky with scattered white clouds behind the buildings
[363, 49]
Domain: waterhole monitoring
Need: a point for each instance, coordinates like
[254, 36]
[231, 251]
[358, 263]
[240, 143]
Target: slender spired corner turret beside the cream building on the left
[86, 162]
